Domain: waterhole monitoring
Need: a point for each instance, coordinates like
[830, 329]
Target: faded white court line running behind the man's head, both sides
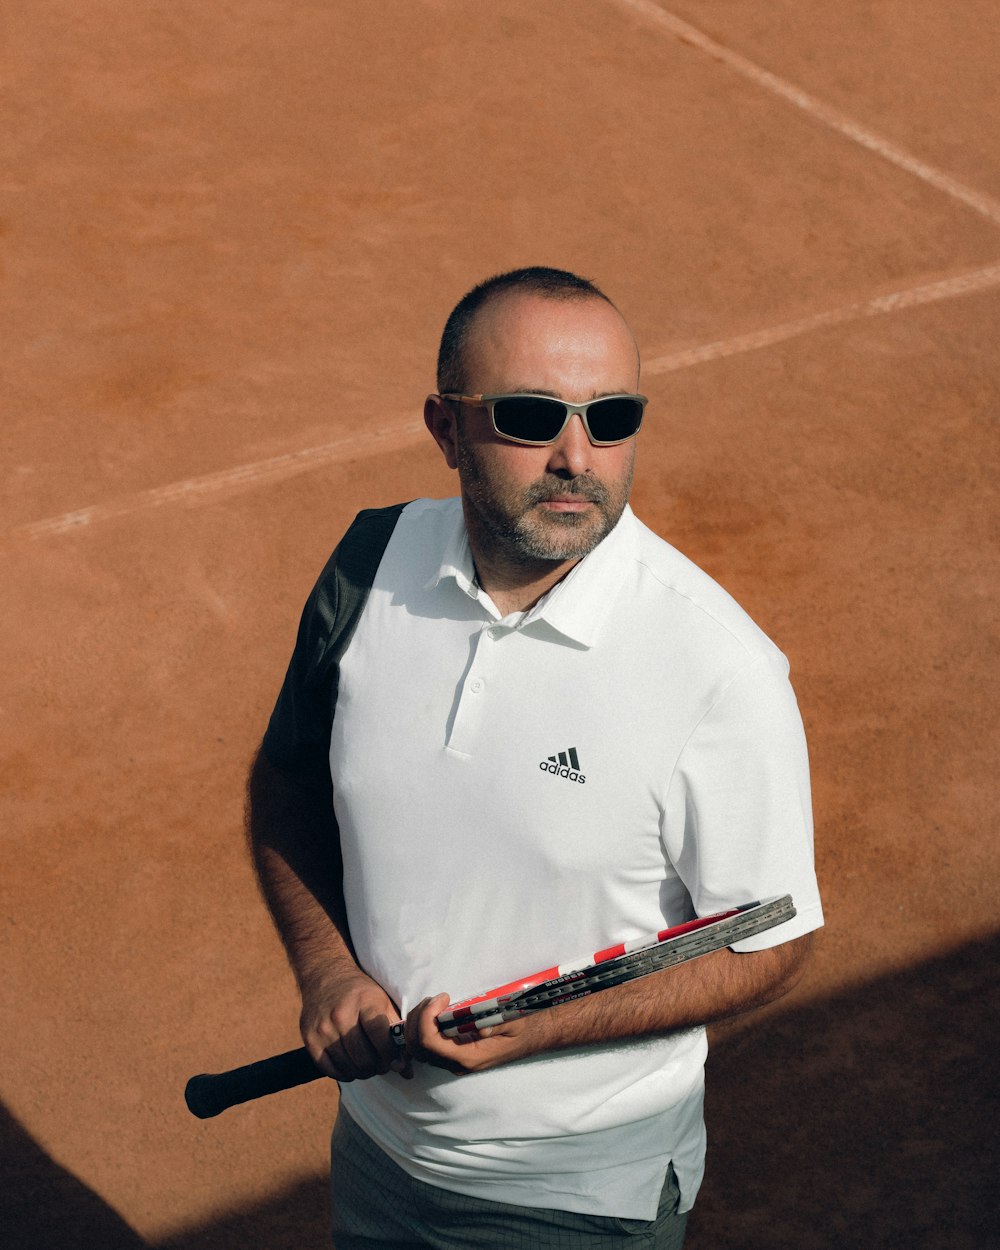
[393, 437]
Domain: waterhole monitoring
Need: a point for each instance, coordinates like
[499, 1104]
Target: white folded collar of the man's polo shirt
[579, 604]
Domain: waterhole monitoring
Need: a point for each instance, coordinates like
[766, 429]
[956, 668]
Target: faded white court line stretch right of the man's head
[949, 288]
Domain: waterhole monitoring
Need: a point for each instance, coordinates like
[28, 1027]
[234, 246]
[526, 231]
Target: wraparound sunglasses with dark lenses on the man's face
[538, 421]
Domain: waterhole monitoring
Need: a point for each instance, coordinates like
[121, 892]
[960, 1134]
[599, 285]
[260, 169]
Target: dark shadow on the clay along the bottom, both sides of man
[867, 1121]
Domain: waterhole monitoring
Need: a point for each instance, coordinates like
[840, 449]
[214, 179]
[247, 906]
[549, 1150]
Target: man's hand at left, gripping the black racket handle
[346, 1026]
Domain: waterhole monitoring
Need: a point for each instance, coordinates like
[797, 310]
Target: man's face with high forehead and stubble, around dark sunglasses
[553, 503]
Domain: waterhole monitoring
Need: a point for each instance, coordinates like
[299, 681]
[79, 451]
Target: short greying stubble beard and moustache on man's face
[521, 533]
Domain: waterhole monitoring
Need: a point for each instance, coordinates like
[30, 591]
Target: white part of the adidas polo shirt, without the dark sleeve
[516, 791]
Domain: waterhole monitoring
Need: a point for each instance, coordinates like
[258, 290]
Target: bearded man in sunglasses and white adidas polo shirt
[532, 617]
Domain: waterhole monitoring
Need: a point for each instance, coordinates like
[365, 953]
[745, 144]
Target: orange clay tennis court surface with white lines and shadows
[231, 238]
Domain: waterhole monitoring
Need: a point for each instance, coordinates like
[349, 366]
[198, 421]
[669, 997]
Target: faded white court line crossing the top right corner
[809, 104]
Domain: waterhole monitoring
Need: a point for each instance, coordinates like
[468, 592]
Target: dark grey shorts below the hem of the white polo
[378, 1207]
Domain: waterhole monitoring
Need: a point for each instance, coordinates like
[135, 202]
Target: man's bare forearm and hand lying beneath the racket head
[698, 993]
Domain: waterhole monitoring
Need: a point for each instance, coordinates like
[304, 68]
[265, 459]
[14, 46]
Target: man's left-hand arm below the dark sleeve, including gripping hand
[296, 848]
